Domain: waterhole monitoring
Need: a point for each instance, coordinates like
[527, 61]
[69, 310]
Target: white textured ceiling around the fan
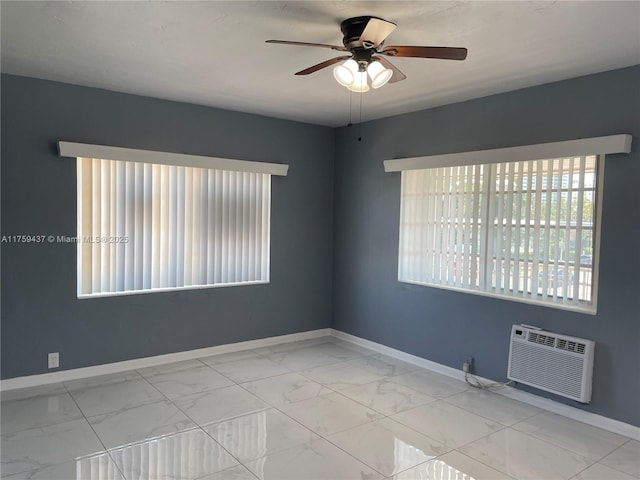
[213, 53]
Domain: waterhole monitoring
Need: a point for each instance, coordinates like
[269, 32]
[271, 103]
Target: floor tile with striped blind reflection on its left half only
[258, 434]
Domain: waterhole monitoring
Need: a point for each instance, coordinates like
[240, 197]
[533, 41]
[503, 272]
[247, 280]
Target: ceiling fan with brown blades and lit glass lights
[364, 40]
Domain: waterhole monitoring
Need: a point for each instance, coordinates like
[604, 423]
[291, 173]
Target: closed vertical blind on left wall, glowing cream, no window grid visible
[144, 226]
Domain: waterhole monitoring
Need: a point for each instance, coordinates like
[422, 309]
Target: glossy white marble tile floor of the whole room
[310, 410]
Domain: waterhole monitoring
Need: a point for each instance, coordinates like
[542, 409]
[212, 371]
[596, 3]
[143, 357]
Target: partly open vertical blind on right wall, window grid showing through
[520, 229]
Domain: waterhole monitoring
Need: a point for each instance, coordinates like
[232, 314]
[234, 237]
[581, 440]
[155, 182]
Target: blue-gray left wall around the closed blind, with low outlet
[40, 311]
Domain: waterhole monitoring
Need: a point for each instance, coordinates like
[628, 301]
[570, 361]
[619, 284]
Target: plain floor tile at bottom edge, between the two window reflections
[315, 460]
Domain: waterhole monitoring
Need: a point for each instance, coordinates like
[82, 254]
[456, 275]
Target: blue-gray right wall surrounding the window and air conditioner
[445, 326]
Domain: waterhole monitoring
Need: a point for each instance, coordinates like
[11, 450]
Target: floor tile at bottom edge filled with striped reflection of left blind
[186, 455]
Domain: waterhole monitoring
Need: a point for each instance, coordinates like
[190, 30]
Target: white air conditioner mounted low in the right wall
[555, 363]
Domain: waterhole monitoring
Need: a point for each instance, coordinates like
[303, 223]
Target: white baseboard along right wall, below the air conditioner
[583, 416]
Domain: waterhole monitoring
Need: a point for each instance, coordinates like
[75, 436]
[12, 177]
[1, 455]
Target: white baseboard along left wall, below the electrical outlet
[77, 373]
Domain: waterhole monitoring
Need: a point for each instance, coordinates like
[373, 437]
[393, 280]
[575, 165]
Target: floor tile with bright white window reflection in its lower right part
[387, 446]
